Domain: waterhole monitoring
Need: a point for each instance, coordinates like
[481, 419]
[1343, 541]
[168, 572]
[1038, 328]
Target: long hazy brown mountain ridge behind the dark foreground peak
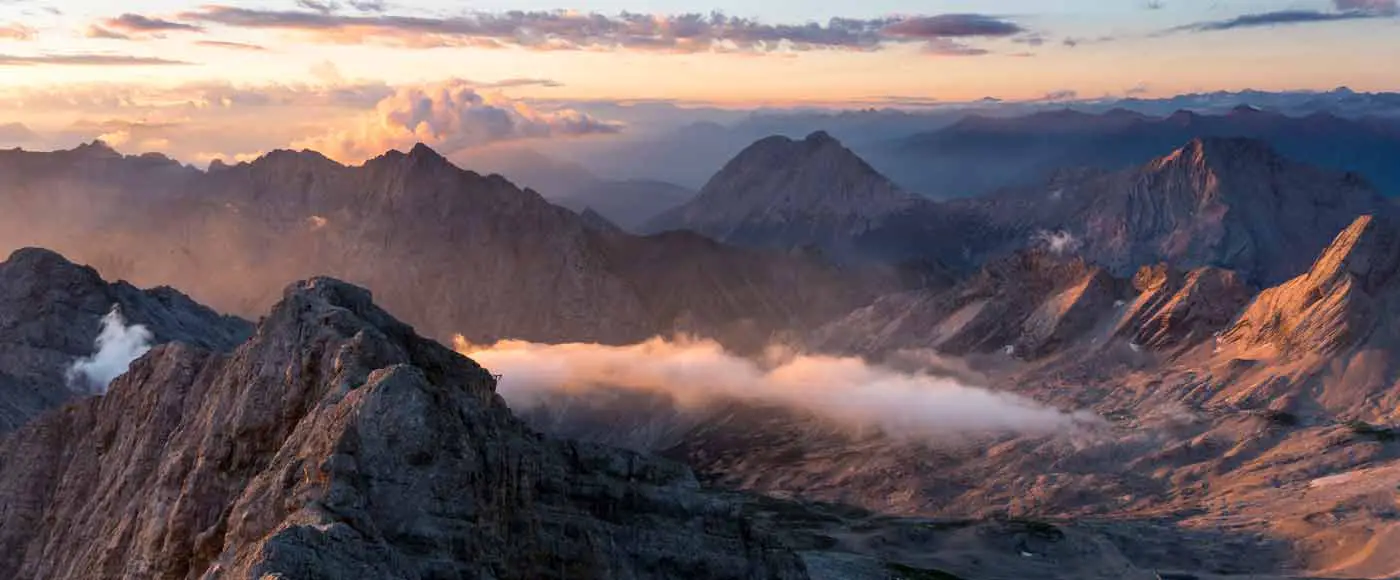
[449, 250]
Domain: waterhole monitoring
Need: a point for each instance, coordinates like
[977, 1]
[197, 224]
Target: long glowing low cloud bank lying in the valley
[848, 392]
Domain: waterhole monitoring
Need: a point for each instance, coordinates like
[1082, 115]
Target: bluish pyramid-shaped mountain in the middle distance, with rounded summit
[785, 194]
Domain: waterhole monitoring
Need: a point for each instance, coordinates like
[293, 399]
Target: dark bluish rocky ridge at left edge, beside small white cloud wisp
[51, 313]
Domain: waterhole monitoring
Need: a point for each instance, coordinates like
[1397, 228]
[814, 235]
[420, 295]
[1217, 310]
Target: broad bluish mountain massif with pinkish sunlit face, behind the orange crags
[1231, 204]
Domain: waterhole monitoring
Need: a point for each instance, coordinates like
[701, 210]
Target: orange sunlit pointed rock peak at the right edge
[1340, 303]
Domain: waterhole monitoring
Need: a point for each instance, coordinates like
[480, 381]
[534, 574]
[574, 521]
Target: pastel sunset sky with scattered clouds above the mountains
[349, 76]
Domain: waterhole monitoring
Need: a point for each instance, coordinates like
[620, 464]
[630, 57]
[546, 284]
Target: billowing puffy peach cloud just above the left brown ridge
[451, 117]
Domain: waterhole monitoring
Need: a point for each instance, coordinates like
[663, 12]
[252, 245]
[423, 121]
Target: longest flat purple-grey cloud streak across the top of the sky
[580, 32]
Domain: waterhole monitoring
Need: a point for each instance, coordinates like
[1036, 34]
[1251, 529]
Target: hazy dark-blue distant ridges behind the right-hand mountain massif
[981, 155]
